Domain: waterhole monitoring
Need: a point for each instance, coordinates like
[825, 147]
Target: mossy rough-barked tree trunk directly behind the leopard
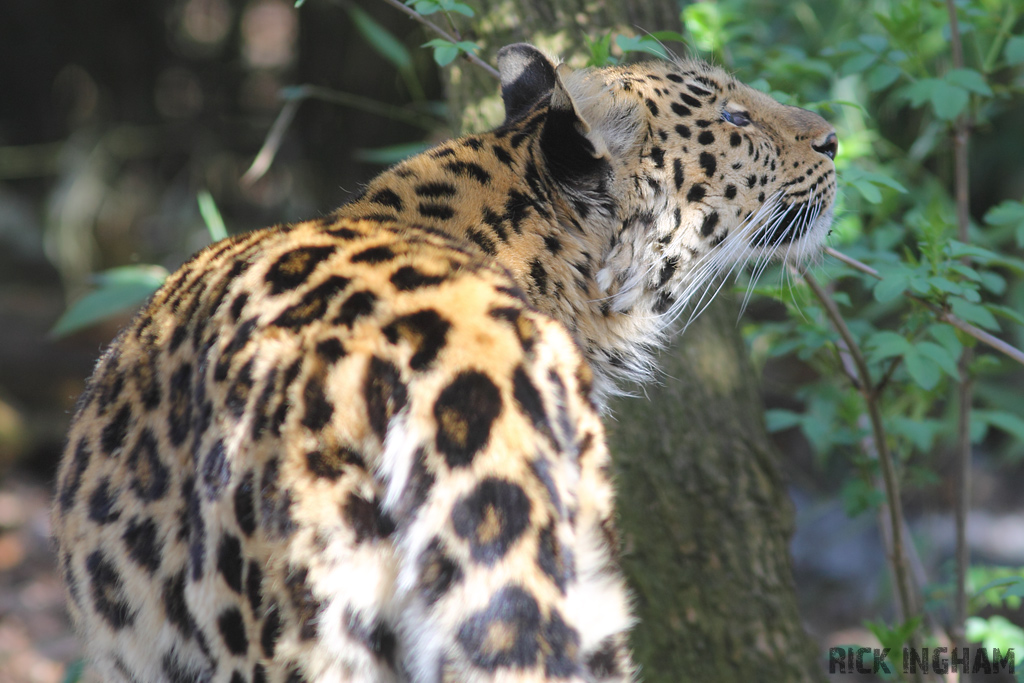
[703, 509]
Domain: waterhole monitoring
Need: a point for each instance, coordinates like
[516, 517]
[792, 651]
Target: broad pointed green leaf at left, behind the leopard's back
[119, 290]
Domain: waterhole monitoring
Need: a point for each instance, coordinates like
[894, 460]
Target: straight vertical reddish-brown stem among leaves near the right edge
[962, 135]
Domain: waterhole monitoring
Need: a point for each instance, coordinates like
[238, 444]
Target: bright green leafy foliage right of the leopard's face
[898, 215]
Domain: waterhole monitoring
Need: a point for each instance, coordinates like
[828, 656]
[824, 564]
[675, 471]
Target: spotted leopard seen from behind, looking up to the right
[368, 448]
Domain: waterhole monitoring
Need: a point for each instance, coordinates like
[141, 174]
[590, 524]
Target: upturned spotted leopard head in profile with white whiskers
[689, 173]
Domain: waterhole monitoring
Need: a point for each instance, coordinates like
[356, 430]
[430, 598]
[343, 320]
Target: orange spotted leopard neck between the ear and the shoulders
[580, 255]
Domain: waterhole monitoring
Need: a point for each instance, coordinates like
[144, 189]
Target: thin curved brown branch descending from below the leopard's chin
[898, 558]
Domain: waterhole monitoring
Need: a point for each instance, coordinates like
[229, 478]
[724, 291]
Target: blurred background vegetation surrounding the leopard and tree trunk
[116, 117]
